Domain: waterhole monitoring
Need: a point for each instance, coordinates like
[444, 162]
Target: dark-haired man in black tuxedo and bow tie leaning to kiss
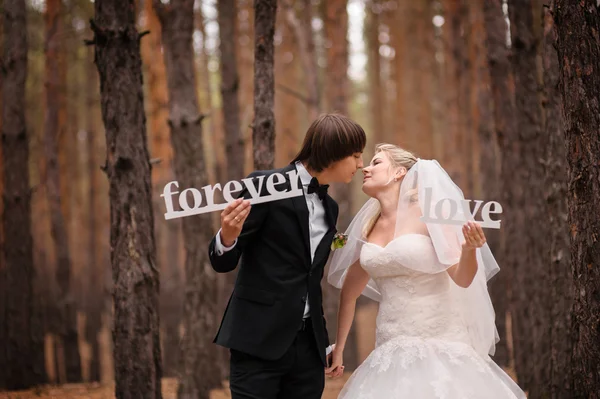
[274, 324]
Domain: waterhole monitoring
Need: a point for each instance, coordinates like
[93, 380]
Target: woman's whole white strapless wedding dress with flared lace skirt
[422, 348]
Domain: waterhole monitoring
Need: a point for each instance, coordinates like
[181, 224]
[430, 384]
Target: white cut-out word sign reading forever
[206, 203]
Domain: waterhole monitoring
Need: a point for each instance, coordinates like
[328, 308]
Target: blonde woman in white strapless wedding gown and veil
[435, 326]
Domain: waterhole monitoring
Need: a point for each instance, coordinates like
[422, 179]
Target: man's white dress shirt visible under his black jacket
[317, 223]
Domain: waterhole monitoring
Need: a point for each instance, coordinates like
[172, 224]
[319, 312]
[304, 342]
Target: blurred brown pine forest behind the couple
[105, 102]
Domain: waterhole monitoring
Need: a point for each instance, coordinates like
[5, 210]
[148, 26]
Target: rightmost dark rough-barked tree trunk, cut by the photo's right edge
[578, 24]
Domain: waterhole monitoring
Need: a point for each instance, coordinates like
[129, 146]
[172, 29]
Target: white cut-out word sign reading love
[449, 216]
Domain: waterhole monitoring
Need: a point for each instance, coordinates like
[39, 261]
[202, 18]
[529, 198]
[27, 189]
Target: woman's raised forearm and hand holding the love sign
[464, 271]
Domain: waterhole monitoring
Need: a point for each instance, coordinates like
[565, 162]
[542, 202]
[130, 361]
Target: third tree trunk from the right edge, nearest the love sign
[527, 212]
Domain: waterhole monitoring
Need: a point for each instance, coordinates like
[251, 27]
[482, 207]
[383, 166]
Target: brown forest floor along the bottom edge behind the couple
[99, 391]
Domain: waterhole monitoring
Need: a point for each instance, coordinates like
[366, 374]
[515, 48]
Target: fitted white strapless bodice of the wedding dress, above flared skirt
[414, 303]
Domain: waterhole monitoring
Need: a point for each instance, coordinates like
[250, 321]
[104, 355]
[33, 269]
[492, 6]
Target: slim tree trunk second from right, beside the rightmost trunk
[560, 296]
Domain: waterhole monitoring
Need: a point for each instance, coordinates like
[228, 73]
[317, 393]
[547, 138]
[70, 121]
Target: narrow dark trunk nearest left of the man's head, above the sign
[263, 126]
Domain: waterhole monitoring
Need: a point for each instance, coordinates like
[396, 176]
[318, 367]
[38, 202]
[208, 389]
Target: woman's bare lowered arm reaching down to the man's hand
[354, 284]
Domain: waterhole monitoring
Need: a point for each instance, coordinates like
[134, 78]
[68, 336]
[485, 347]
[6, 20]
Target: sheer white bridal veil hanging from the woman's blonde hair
[428, 187]
